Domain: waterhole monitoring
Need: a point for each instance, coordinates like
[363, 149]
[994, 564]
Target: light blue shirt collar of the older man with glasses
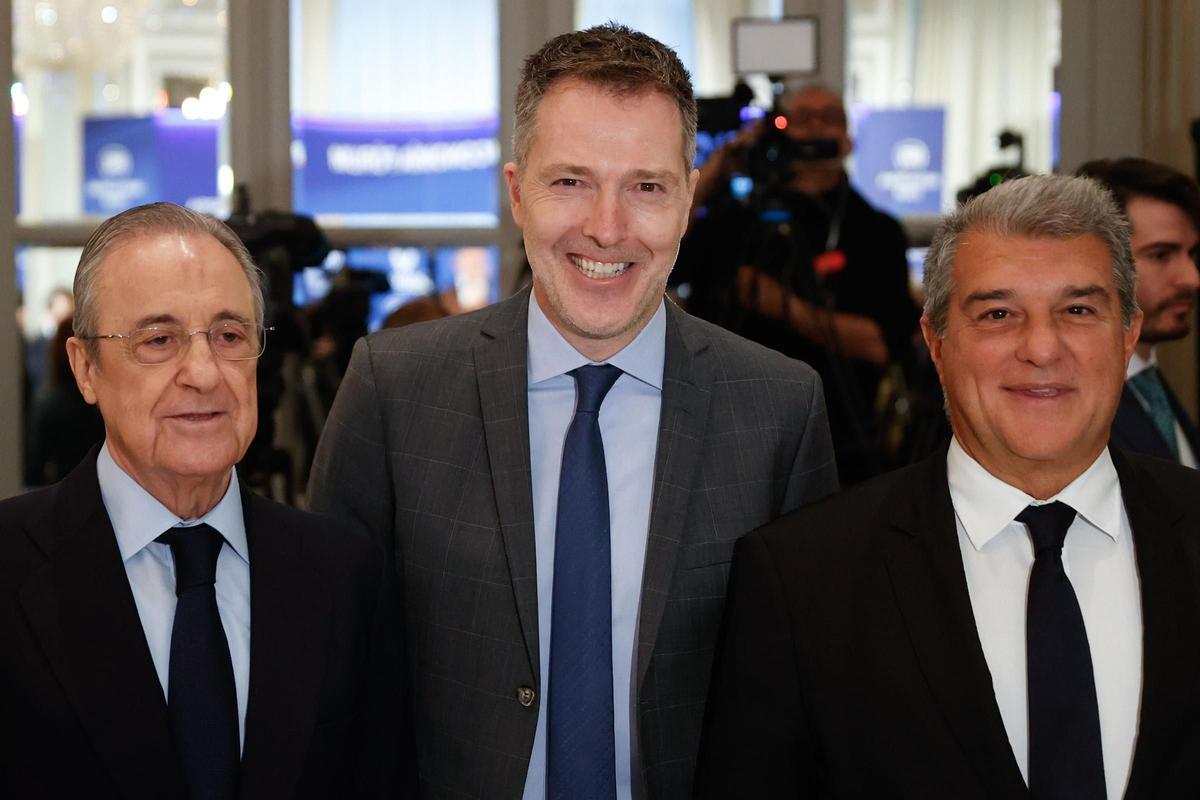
[139, 518]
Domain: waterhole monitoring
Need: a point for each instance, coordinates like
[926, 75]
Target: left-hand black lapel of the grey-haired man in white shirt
[926, 568]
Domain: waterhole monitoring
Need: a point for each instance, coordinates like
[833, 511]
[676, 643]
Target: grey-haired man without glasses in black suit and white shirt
[1016, 616]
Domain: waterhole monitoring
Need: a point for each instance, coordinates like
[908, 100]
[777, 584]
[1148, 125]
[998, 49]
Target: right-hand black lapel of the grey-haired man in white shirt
[1171, 624]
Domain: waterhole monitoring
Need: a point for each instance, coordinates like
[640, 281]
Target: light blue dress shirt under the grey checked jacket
[629, 426]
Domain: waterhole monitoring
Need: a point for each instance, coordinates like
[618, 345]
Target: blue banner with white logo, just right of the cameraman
[898, 159]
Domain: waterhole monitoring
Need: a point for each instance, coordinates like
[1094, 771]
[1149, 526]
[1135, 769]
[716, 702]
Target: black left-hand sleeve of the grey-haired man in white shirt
[757, 742]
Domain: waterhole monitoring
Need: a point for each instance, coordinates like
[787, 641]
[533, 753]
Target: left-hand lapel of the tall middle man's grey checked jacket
[502, 374]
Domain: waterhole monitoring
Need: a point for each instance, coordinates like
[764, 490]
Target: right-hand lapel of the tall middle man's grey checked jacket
[687, 389]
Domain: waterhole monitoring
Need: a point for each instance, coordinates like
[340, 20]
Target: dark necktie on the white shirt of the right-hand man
[1066, 759]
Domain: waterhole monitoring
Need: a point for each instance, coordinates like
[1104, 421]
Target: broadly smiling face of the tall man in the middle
[603, 202]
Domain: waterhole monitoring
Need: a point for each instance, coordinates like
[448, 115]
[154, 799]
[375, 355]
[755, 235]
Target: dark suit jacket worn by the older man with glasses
[82, 712]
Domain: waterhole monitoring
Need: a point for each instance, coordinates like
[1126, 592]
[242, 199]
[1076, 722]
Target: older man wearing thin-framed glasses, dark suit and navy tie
[166, 633]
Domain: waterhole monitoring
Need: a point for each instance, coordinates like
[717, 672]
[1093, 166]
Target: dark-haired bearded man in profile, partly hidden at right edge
[1163, 207]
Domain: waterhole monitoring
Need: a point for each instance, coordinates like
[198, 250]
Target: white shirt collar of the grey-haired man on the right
[986, 506]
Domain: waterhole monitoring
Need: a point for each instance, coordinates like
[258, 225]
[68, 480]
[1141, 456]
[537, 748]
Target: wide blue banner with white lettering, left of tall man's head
[398, 175]
